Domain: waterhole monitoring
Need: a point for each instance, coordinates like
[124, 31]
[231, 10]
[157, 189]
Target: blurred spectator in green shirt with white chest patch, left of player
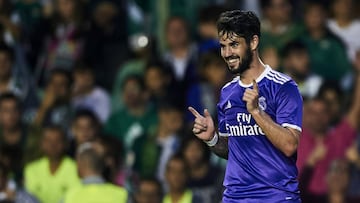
[135, 121]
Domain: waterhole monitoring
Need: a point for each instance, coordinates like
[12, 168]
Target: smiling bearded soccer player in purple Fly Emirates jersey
[259, 114]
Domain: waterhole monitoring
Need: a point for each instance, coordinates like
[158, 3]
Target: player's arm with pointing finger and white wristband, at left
[204, 129]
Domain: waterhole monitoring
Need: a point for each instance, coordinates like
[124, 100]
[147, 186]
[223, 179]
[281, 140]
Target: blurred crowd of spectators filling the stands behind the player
[93, 97]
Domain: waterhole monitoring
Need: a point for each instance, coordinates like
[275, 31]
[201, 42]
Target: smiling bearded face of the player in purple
[236, 52]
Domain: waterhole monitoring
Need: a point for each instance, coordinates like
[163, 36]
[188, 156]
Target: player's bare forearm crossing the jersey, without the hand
[282, 138]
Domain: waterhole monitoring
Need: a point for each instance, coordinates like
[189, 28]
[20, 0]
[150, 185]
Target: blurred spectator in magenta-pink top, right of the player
[318, 131]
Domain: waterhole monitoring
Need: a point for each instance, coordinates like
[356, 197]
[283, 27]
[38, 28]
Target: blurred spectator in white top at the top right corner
[345, 26]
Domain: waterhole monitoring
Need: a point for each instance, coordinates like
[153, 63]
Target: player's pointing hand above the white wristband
[203, 125]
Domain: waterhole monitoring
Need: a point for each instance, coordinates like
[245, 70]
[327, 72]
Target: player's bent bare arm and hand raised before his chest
[284, 139]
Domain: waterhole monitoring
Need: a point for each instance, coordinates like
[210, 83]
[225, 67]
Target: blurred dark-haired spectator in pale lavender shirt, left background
[87, 95]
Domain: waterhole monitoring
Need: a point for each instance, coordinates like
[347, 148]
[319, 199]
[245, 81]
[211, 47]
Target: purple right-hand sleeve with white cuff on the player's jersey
[289, 106]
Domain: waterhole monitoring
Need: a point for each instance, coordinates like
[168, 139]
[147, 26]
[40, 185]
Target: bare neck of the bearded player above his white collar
[255, 70]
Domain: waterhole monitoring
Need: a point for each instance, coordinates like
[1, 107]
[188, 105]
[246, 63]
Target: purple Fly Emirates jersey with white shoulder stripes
[257, 171]
